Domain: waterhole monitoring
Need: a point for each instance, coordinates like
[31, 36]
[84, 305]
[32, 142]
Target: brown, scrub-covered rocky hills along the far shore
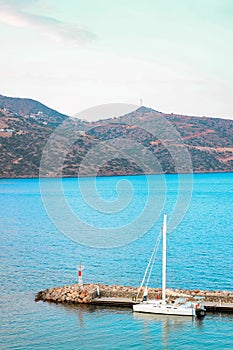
[124, 145]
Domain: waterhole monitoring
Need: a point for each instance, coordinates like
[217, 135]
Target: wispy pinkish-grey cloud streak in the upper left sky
[14, 13]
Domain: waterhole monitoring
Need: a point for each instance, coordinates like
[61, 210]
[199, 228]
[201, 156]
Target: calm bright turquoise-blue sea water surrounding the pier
[110, 225]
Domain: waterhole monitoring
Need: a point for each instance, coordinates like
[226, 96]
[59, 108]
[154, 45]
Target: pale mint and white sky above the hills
[175, 55]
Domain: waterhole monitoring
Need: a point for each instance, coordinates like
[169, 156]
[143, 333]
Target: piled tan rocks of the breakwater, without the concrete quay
[88, 292]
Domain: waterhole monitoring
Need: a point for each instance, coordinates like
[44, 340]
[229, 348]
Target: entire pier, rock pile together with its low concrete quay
[126, 296]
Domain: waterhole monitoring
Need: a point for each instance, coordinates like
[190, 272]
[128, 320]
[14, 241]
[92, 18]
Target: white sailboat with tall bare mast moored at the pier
[180, 306]
